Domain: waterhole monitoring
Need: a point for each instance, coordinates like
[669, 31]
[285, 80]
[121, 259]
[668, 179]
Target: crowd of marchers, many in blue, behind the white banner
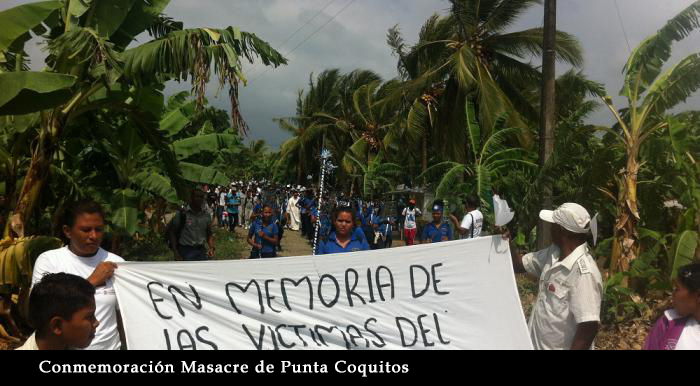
[266, 210]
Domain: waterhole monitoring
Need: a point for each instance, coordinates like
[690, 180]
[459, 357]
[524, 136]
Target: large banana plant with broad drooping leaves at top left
[90, 67]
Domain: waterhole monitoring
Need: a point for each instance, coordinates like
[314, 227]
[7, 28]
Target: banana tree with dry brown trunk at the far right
[650, 95]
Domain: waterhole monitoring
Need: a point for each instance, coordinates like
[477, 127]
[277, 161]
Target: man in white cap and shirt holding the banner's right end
[566, 314]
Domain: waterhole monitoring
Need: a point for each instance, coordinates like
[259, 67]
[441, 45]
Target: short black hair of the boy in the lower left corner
[58, 294]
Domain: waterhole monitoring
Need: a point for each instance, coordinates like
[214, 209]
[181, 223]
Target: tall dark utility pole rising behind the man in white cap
[548, 117]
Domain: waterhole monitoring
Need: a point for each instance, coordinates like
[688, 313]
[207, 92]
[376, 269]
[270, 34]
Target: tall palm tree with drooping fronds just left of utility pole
[477, 59]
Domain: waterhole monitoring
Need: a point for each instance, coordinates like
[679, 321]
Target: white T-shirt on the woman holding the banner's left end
[63, 260]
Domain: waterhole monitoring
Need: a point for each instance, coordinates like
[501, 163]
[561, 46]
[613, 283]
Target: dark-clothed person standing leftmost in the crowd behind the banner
[190, 229]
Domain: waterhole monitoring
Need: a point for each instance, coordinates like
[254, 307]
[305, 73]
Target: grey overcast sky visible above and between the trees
[357, 39]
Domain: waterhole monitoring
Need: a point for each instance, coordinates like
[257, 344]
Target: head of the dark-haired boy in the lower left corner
[62, 306]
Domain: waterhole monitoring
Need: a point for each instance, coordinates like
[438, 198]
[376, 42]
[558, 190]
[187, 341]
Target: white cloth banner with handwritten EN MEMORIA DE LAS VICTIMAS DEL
[456, 295]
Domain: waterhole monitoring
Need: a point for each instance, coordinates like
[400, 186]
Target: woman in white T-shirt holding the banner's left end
[84, 227]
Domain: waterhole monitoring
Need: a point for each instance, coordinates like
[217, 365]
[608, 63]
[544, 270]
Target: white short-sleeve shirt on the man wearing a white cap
[570, 293]
